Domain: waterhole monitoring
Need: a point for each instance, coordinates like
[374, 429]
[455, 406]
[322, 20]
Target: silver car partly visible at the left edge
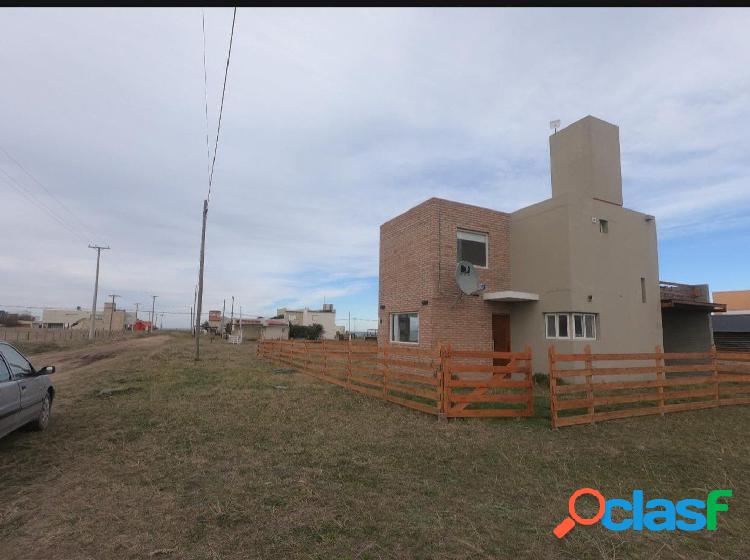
[26, 394]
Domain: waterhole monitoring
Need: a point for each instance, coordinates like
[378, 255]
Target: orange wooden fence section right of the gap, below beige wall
[587, 388]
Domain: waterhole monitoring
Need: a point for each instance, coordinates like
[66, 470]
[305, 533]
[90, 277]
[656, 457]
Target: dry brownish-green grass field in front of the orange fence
[231, 458]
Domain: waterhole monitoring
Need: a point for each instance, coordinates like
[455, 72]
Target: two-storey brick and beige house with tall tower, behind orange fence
[577, 269]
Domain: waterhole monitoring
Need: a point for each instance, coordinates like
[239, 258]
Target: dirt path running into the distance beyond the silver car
[68, 361]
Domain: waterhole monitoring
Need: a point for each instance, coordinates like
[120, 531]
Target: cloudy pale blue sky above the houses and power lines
[334, 122]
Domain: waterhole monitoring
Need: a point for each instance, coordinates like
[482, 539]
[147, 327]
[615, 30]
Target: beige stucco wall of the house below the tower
[558, 252]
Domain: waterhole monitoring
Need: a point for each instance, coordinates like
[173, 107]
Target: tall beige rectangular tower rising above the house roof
[585, 160]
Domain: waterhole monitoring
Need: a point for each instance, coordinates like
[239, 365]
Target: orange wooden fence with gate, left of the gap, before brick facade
[436, 381]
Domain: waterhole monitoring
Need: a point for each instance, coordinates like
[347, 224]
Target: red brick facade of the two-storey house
[418, 263]
